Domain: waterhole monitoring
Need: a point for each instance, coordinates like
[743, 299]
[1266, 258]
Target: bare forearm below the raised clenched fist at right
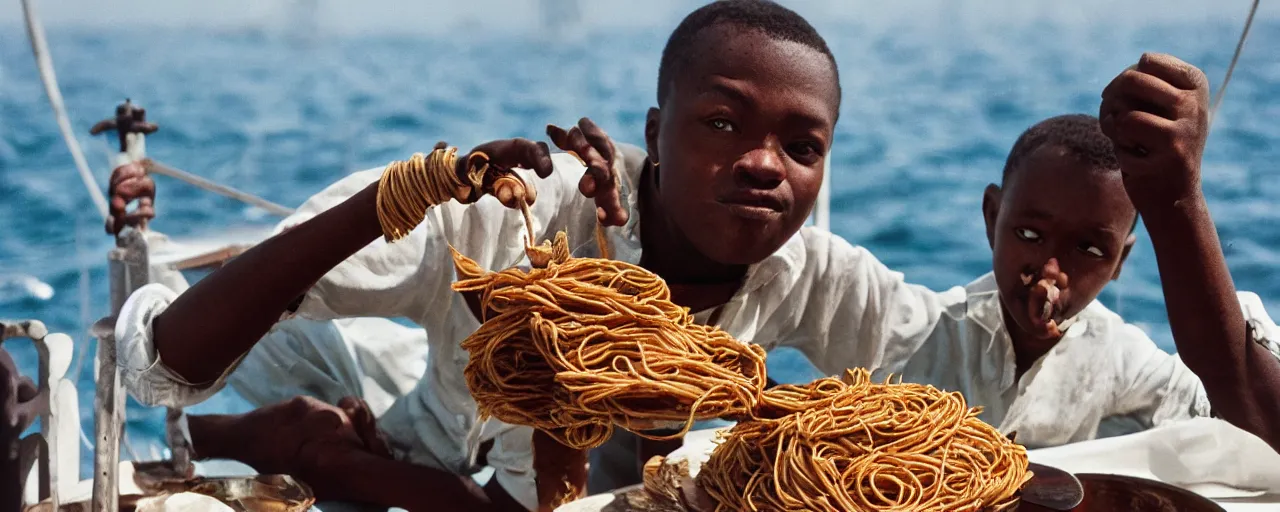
[1241, 378]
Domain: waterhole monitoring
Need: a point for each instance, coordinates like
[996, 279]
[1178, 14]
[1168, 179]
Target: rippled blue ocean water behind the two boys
[930, 113]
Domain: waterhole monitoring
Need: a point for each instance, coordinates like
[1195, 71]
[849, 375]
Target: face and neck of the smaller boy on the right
[1039, 217]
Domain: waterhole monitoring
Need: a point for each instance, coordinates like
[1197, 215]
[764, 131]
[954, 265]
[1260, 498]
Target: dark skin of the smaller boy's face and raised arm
[1156, 116]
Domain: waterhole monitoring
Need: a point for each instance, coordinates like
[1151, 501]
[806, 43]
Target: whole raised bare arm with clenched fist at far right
[1156, 115]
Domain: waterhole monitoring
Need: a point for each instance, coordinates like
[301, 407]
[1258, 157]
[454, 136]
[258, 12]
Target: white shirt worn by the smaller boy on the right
[1105, 377]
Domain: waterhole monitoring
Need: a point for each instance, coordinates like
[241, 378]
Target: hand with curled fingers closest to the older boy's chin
[597, 152]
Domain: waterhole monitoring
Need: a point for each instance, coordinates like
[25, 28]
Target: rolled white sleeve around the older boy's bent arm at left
[409, 278]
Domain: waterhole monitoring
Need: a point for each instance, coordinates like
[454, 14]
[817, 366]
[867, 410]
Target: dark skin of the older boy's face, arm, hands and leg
[740, 141]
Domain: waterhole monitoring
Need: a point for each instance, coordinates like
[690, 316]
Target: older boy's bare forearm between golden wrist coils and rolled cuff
[221, 318]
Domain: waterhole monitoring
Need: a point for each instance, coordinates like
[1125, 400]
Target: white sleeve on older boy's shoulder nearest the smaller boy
[858, 313]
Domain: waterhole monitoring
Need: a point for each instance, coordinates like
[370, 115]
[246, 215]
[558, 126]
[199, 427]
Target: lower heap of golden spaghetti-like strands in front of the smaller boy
[856, 446]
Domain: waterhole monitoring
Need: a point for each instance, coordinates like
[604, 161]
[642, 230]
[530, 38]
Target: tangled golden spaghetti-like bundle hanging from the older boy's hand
[583, 345]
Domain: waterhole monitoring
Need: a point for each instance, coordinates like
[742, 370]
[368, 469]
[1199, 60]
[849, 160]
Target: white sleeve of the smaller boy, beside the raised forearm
[1159, 387]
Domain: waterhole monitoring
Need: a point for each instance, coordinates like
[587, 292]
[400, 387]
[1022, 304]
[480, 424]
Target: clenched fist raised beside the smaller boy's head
[1156, 113]
